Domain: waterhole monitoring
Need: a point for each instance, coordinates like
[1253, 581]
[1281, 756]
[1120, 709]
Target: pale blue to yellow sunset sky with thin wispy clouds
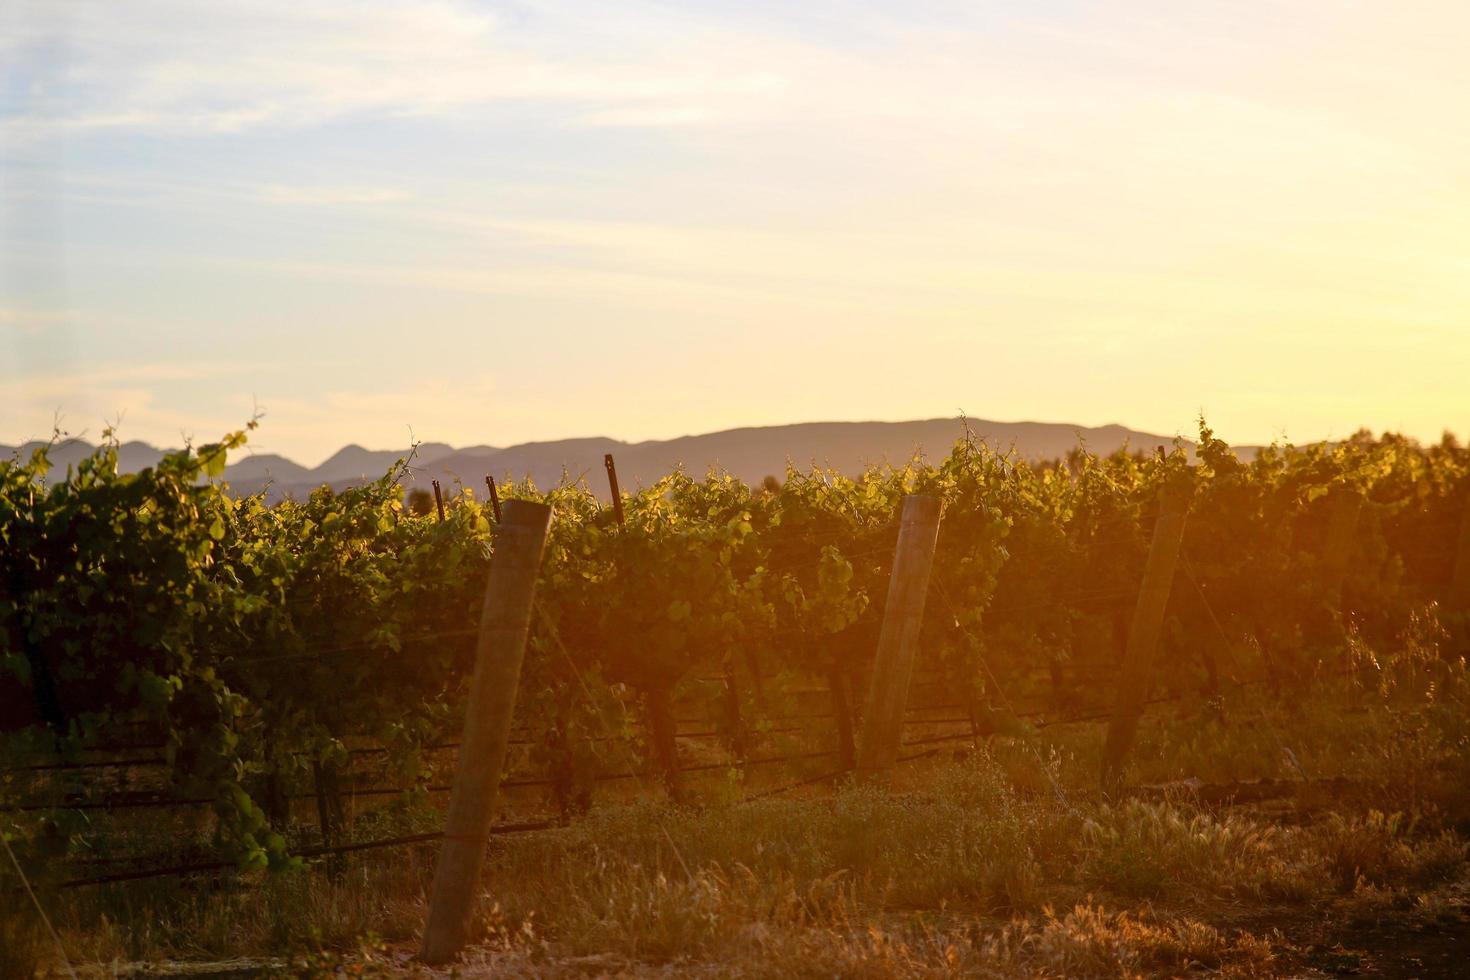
[498, 223]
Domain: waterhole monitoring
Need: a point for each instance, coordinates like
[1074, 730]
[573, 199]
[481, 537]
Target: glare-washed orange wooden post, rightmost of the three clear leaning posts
[1143, 637]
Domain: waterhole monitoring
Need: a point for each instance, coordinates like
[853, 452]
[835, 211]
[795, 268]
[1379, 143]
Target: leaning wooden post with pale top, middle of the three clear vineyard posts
[899, 641]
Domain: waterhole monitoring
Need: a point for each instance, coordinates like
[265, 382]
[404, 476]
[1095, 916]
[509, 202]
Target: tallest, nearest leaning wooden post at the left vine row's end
[503, 627]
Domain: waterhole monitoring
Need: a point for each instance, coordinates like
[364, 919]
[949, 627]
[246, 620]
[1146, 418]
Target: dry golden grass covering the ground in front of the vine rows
[953, 875]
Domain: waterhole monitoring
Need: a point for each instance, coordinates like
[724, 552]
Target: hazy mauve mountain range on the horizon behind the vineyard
[750, 455]
